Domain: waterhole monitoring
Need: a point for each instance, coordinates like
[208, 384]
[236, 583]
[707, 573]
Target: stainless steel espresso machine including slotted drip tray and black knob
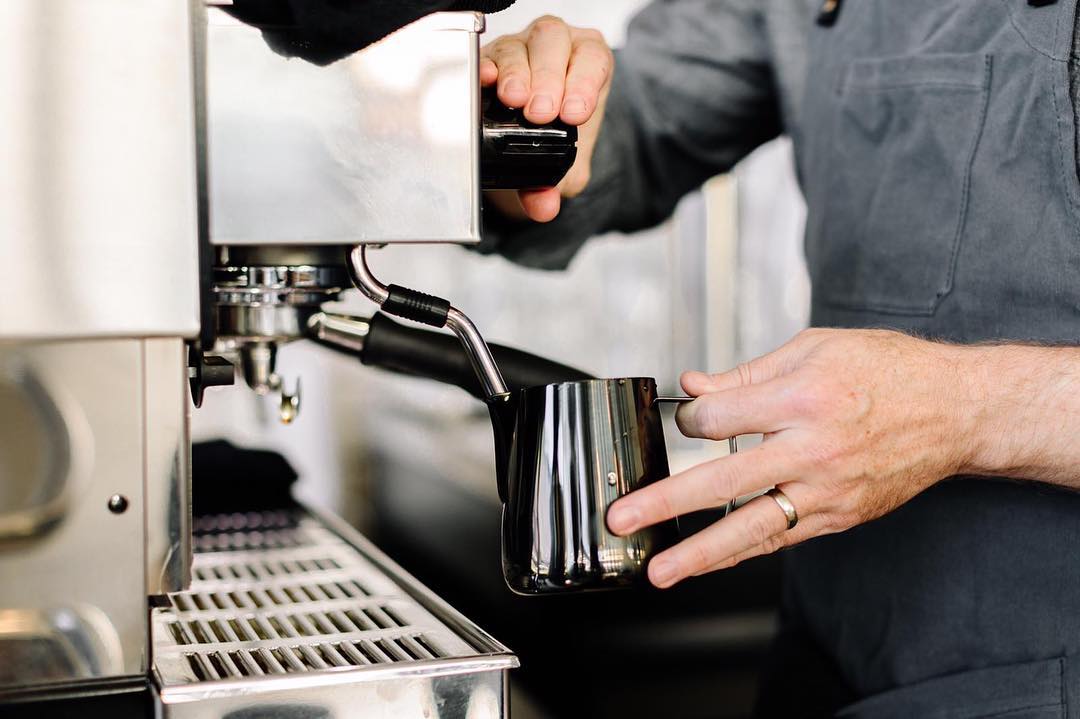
[180, 198]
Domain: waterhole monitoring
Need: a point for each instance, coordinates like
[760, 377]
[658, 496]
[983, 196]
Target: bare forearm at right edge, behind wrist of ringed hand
[1024, 413]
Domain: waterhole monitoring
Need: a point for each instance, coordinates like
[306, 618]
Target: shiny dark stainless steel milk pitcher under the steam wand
[580, 446]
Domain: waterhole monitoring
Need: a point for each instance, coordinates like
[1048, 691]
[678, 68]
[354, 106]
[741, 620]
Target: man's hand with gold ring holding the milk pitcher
[856, 424]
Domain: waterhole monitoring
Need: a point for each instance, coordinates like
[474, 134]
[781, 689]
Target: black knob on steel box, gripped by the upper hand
[517, 155]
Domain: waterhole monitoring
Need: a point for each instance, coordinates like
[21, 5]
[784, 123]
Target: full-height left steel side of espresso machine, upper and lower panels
[99, 240]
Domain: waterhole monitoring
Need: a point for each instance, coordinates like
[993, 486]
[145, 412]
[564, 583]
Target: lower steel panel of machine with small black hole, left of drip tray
[93, 504]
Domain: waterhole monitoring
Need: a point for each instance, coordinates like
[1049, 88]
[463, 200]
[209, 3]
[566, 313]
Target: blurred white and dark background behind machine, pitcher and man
[411, 464]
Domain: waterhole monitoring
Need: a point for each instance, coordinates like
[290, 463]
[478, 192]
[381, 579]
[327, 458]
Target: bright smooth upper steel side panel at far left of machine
[98, 180]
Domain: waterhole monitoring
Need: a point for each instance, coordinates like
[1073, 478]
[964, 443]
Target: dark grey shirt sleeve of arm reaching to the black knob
[694, 92]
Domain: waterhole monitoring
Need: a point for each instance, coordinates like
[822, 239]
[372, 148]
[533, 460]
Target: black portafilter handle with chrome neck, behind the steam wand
[391, 346]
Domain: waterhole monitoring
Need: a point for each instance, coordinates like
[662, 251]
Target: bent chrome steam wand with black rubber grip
[434, 311]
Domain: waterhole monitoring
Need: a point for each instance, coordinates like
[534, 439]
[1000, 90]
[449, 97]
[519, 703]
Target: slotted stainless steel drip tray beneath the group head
[292, 615]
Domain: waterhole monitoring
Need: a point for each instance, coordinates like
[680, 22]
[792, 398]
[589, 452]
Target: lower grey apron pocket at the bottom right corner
[1032, 690]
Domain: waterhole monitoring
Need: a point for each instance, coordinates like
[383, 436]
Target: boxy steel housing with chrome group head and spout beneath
[382, 146]
